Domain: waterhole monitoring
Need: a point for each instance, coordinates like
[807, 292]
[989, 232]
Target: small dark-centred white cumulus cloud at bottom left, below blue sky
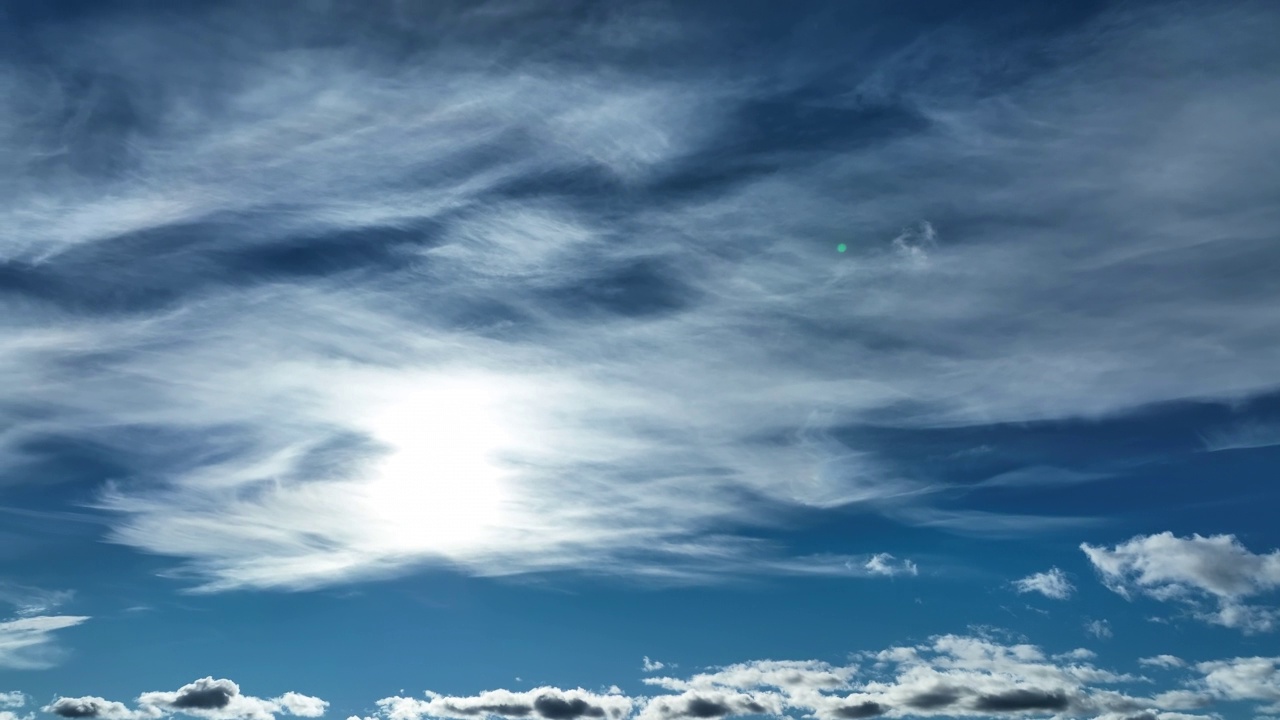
[207, 698]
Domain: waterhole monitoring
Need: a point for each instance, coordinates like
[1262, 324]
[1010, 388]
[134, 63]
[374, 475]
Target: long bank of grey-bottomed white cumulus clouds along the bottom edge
[947, 677]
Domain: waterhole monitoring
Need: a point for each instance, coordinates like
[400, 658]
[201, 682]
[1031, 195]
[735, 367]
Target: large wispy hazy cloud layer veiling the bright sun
[337, 311]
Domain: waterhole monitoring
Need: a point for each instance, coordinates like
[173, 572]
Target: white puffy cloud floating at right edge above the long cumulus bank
[1194, 571]
